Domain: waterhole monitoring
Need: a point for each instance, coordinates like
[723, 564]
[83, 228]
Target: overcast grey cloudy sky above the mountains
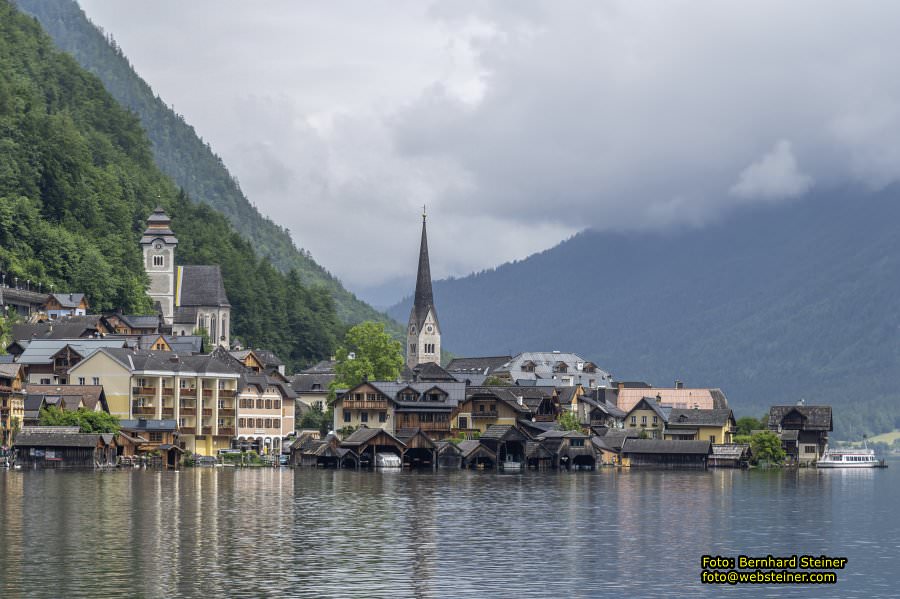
[518, 123]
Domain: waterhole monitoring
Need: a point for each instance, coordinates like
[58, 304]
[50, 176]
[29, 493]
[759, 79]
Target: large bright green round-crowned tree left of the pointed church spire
[367, 352]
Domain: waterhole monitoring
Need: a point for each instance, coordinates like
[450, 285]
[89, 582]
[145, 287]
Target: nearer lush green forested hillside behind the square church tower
[77, 181]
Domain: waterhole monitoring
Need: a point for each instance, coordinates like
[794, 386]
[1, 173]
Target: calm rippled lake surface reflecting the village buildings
[307, 533]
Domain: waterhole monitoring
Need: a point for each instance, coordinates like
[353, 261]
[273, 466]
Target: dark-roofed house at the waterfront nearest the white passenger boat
[803, 430]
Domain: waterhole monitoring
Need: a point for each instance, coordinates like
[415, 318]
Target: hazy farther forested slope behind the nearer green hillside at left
[182, 155]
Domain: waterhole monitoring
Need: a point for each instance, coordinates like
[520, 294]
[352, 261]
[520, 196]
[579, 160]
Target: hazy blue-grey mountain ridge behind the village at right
[774, 305]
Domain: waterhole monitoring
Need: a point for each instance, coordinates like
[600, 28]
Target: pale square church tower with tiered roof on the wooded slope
[159, 243]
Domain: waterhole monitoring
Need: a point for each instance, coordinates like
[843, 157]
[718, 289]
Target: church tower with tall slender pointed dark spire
[423, 339]
